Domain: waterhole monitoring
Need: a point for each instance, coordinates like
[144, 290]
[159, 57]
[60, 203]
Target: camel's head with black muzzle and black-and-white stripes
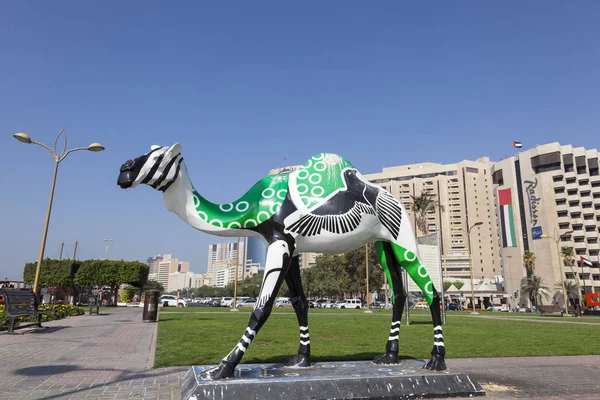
[158, 168]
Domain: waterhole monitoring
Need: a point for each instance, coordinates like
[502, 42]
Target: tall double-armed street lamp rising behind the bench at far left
[57, 158]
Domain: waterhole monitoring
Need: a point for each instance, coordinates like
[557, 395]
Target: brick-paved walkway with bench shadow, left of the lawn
[95, 357]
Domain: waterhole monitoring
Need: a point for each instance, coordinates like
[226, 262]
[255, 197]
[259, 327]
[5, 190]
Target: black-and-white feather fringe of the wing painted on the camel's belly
[311, 224]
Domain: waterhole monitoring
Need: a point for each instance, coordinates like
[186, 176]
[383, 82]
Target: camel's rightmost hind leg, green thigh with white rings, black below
[411, 263]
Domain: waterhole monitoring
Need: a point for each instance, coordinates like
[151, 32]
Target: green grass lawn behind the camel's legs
[197, 336]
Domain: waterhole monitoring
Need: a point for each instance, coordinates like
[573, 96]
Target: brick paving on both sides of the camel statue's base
[111, 356]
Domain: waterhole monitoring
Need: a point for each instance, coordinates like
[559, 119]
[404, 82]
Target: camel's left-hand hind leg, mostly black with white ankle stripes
[392, 271]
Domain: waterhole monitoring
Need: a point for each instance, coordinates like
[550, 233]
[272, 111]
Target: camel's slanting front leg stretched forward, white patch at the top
[276, 267]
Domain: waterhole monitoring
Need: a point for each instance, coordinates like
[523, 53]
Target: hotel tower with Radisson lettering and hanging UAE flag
[548, 197]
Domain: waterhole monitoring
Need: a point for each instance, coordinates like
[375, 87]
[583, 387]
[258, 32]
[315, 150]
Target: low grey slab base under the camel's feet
[330, 380]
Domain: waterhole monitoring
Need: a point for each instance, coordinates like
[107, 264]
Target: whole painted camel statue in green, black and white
[326, 206]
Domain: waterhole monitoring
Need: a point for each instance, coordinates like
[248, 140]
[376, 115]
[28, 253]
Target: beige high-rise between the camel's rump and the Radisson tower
[465, 192]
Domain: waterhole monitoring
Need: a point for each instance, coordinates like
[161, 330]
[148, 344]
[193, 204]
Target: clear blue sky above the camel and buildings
[248, 86]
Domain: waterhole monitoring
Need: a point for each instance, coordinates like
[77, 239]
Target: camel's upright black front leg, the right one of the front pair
[300, 303]
